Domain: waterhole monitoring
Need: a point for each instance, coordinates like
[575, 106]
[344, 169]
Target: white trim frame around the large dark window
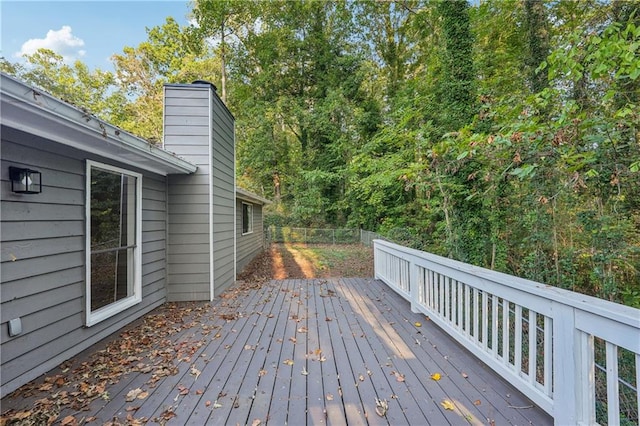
[92, 318]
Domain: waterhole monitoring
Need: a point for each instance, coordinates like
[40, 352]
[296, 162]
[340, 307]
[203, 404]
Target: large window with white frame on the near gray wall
[114, 234]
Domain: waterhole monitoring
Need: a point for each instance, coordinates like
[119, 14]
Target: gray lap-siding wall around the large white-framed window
[43, 259]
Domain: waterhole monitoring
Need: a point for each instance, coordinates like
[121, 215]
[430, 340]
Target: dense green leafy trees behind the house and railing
[503, 133]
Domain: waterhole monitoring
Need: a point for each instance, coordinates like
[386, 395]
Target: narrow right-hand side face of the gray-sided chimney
[223, 170]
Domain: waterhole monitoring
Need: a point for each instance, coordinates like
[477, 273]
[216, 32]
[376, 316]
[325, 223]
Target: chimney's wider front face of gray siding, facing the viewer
[186, 133]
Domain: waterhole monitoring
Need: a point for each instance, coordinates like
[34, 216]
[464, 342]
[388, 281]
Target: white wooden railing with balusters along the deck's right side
[542, 339]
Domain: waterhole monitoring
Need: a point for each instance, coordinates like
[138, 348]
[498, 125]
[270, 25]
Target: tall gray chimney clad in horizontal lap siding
[201, 207]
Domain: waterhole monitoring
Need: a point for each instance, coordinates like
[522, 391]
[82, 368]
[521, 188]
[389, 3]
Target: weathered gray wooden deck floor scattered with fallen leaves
[286, 352]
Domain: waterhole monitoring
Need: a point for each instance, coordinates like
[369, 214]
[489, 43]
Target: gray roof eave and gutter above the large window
[34, 111]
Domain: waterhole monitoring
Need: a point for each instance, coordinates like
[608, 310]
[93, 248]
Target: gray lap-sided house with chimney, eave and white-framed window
[119, 226]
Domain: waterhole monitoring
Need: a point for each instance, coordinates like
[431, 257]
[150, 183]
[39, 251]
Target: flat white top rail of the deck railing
[604, 308]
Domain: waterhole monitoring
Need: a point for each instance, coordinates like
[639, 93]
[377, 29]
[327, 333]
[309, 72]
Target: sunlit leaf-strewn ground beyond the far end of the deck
[283, 261]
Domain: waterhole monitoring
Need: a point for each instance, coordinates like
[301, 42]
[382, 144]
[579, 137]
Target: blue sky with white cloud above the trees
[88, 30]
